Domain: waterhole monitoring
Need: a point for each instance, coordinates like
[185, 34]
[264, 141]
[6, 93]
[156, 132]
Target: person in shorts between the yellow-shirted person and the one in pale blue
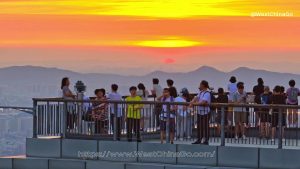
[167, 98]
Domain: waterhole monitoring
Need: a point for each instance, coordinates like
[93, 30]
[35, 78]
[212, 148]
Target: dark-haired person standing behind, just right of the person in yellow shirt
[145, 114]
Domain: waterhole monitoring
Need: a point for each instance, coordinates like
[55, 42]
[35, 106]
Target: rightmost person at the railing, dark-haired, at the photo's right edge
[292, 99]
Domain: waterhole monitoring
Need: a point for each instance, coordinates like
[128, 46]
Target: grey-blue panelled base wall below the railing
[109, 151]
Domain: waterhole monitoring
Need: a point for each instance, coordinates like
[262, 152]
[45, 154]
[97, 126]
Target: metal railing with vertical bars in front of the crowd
[228, 124]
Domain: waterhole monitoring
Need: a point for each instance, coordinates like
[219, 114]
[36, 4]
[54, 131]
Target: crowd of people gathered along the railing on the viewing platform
[177, 117]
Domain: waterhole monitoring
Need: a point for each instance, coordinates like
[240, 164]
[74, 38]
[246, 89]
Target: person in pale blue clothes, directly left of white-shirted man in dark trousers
[183, 118]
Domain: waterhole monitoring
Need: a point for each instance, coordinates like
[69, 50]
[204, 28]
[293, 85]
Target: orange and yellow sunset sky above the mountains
[139, 36]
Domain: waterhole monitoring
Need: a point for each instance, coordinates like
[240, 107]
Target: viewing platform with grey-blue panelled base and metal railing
[63, 138]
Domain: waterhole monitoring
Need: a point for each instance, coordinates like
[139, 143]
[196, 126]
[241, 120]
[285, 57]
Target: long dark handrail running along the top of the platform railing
[216, 105]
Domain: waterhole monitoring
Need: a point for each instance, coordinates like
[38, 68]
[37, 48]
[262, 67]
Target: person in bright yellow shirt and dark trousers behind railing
[133, 115]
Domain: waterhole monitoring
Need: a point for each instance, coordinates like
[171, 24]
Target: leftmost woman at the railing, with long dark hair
[68, 94]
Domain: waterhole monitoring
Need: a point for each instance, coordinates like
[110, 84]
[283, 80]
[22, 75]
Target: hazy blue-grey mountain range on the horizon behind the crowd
[13, 78]
